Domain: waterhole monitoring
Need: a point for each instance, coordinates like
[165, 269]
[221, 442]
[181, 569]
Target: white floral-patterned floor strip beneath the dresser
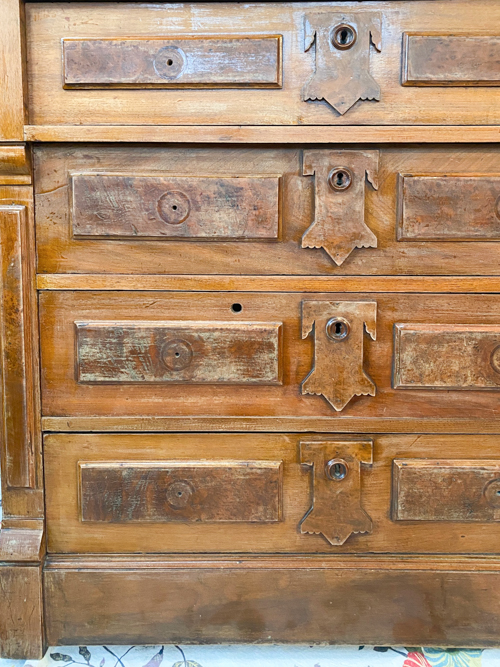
[244, 655]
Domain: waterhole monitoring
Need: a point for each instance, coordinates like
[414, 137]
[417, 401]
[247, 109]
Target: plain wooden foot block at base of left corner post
[21, 612]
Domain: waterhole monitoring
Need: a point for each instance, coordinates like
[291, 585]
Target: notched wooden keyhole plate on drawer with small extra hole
[338, 328]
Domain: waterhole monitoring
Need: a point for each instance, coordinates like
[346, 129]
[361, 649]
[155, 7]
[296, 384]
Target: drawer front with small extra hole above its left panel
[371, 356]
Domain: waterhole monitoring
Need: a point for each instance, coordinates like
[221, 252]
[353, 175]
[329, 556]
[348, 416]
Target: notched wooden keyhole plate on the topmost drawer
[342, 75]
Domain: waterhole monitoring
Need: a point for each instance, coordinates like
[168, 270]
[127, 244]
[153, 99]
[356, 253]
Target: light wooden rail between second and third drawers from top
[214, 283]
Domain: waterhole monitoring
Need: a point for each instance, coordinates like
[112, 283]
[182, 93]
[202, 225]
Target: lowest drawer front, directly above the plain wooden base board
[273, 493]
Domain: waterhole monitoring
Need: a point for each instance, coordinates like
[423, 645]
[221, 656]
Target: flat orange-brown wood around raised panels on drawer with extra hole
[64, 396]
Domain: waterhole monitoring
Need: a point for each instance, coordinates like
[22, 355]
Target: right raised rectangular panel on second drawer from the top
[447, 208]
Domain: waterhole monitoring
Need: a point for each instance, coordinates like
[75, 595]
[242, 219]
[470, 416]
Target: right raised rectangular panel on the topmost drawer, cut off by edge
[451, 60]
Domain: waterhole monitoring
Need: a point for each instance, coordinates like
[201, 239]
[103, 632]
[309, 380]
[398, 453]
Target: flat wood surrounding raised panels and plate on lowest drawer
[68, 534]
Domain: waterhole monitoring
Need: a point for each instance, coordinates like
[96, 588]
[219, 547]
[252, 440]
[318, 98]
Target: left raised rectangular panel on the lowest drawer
[203, 491]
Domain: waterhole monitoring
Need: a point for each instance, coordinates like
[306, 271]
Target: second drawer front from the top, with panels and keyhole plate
[110, 209]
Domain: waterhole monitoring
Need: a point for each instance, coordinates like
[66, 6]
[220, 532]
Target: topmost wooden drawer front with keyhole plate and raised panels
[314, 63]
